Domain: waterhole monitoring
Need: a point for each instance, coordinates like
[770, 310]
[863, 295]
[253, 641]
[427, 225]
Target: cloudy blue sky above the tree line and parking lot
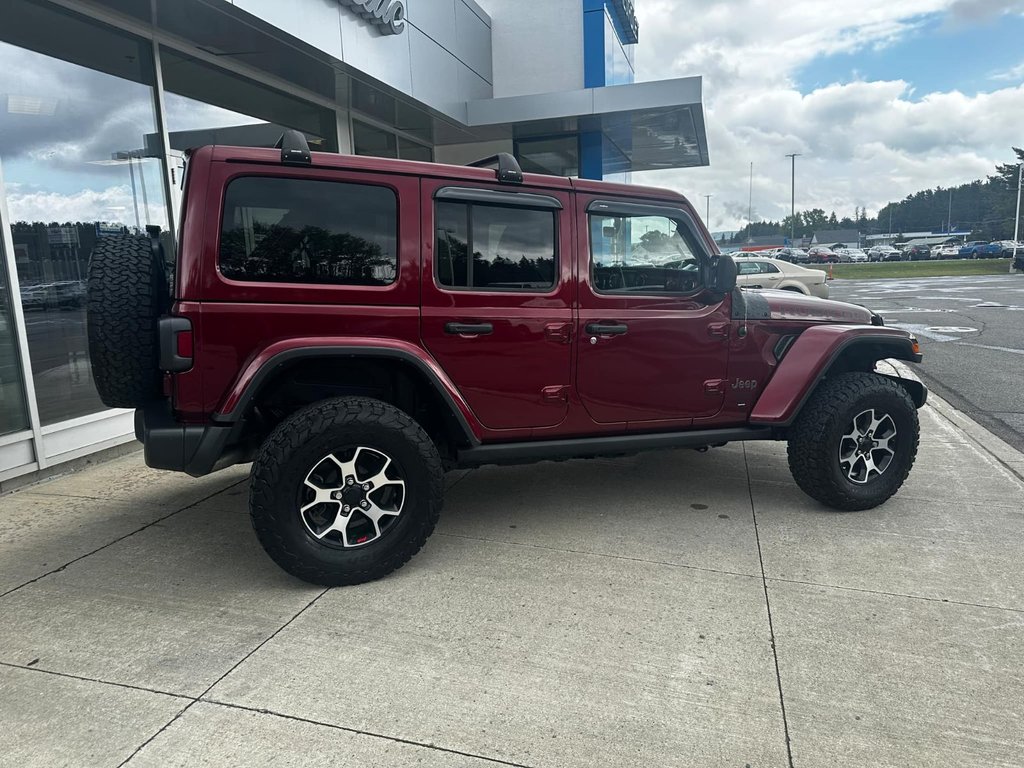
[881, 98]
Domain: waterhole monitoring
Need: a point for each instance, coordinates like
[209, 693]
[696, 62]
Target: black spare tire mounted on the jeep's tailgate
[127, 293]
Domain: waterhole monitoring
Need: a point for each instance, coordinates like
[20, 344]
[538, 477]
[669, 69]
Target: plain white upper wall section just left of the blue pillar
[537, 46]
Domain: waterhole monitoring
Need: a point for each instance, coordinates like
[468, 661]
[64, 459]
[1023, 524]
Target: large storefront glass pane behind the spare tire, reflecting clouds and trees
[76, 107]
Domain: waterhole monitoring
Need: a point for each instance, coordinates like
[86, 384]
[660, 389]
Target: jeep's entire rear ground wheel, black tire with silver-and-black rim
[346, 491]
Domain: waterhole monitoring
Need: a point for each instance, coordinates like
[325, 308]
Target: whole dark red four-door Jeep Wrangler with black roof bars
[356, 327]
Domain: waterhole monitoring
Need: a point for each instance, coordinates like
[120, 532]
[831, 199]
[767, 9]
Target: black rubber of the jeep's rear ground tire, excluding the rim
[298, 444]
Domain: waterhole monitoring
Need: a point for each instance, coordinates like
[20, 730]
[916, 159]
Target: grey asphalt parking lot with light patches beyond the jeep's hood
[972, 331]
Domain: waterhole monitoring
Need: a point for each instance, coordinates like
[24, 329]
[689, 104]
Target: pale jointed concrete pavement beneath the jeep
[676, 609]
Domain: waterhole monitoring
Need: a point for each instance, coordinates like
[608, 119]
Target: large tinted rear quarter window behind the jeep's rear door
[302, 231]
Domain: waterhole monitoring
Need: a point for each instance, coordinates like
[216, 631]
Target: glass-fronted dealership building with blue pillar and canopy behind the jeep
[100, 100]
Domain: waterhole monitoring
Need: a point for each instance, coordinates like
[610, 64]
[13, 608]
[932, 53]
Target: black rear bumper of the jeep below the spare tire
[195, 449]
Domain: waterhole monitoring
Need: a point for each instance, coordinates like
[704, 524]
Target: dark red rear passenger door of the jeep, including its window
[497, 308]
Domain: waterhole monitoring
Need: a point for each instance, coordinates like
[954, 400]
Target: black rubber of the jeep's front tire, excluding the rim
[815, 440]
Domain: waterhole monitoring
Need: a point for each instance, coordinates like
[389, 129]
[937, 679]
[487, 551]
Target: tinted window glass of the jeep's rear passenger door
[514, 249]
